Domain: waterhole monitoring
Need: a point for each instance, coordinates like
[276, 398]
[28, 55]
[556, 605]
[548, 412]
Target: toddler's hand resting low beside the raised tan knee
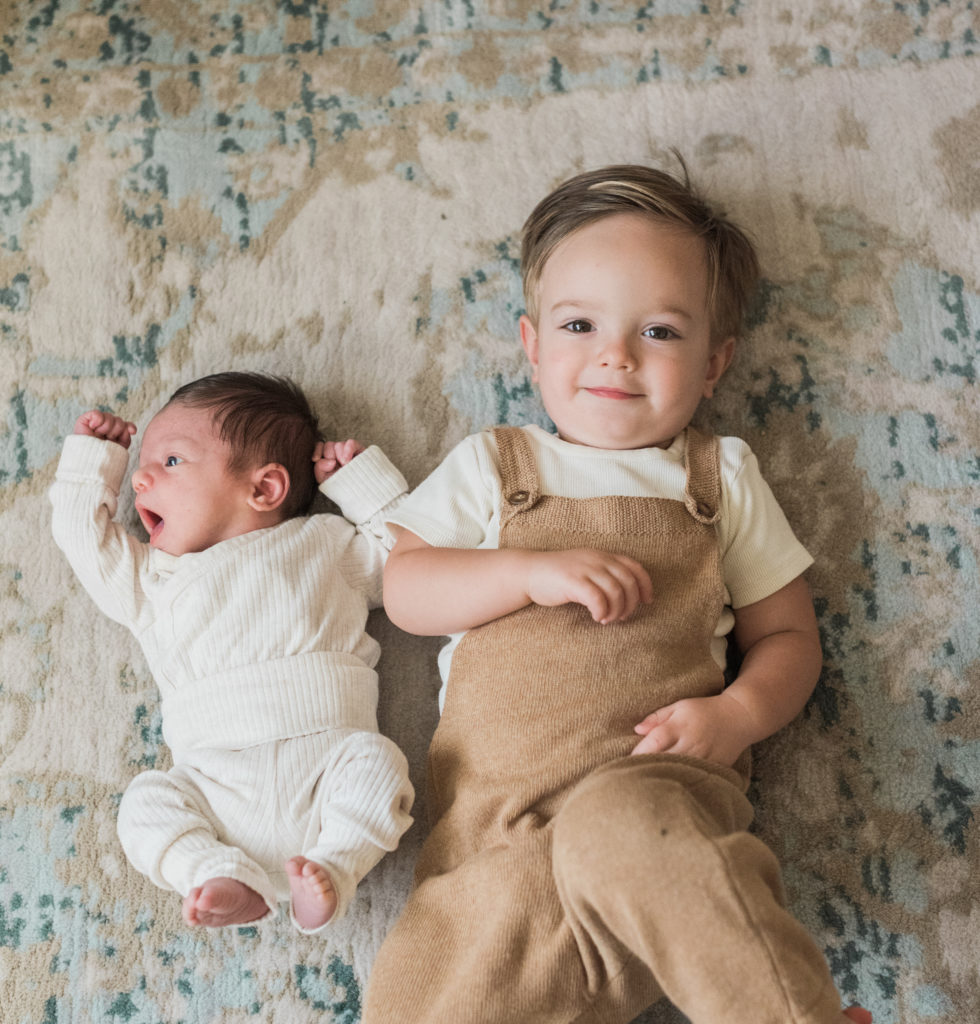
[716, 730]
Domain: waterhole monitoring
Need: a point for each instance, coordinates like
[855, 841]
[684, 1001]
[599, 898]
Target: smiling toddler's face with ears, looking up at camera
[622, 349]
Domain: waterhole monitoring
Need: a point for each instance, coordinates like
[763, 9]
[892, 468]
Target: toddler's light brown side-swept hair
[731, 258]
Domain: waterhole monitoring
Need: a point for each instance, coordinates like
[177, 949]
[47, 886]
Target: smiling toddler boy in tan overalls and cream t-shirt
[590, 851]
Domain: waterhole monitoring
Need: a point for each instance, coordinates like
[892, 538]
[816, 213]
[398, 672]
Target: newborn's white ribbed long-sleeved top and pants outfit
[267, 679]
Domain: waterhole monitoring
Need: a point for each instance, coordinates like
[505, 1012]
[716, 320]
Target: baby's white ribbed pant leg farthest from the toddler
[172, 834]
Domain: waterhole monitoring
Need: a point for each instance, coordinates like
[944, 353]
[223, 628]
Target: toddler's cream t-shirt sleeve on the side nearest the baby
[455, 505]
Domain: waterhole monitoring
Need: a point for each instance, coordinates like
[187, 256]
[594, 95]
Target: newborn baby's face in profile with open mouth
[187, 496]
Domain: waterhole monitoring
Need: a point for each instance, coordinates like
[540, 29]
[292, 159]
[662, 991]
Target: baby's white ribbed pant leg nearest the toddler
[359, 809]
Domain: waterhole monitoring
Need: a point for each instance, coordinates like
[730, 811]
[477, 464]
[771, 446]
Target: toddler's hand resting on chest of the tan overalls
[610, 586]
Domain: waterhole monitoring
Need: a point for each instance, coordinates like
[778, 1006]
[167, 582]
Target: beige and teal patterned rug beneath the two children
[335, 191]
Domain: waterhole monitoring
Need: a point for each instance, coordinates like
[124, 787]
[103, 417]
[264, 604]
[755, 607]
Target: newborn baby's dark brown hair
[263, 419]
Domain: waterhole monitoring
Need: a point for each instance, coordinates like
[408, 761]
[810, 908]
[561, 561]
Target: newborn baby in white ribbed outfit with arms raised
[251, 616]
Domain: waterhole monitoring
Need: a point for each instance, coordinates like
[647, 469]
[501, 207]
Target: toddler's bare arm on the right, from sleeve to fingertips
[782, 664]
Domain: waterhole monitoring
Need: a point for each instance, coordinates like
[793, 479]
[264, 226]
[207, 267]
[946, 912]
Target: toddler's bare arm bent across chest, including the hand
[437, 591]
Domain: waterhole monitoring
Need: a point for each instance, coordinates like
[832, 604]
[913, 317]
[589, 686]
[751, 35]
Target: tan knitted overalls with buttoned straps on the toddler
[565, 880]
